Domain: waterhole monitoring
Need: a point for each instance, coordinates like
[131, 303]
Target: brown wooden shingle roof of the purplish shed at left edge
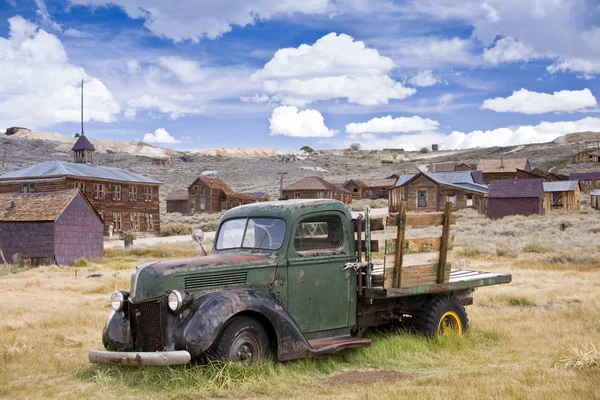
[30, 207]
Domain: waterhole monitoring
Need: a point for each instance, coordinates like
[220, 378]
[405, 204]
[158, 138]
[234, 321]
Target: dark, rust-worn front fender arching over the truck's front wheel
[198, 330]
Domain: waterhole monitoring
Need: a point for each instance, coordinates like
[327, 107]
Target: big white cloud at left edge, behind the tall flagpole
[38, 85]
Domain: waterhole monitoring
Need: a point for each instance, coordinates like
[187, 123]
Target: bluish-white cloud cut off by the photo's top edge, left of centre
[196, 19]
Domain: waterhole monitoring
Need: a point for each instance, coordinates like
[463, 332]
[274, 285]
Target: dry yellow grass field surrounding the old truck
[536, 338]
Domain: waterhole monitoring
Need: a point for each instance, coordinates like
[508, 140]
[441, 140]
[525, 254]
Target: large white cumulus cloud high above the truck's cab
[334, 67]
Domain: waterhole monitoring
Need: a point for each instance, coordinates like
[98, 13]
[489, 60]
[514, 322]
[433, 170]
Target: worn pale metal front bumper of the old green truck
[162, 358]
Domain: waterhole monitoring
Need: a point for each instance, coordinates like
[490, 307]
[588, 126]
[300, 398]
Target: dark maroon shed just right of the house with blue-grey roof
[515, 197]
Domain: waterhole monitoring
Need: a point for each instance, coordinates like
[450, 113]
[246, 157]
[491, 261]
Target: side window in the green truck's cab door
[319, 233]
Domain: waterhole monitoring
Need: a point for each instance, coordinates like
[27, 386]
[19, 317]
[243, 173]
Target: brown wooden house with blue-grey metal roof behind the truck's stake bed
[427, 191]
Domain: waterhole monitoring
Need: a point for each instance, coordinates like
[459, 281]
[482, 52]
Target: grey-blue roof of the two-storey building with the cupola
[50, 169]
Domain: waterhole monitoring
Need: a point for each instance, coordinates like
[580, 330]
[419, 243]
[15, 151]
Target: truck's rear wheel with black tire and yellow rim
[441, 316]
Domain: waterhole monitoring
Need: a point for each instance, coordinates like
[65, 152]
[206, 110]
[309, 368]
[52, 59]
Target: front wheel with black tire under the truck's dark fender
[242, 340]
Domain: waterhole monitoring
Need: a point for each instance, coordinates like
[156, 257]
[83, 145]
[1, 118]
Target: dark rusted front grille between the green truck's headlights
[146, 324]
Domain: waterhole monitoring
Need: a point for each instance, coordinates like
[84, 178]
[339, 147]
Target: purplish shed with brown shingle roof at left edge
[49, 228]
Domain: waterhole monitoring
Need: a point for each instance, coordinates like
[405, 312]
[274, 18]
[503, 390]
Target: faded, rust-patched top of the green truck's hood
[156, 279]
